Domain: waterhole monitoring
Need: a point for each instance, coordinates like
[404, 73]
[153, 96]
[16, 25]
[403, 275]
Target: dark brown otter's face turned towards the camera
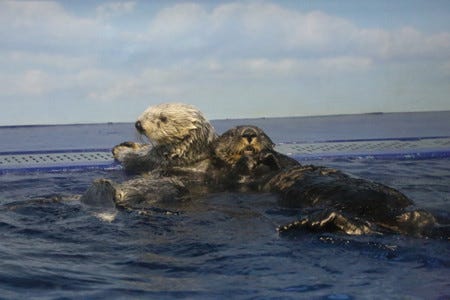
[240, 141]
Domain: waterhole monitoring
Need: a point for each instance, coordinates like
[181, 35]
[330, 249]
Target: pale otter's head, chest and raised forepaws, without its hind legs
[180, 134]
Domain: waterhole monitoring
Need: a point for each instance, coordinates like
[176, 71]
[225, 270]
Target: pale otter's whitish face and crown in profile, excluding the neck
[171, 123]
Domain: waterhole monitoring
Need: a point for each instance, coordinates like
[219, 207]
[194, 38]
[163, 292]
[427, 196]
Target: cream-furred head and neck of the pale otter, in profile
[180, 127]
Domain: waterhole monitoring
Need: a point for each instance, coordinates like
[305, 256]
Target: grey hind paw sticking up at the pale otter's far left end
[101, 194]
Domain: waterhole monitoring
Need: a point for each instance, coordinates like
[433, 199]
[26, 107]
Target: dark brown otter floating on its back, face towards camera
[329, 199]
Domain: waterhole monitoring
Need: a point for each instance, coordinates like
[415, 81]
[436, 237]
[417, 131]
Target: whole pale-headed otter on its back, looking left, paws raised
[174, 167]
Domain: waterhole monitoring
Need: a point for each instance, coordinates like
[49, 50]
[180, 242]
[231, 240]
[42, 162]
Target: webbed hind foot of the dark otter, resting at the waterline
[328, 221]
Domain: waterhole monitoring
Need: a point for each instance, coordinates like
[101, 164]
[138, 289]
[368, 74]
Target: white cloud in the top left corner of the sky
[44, 26]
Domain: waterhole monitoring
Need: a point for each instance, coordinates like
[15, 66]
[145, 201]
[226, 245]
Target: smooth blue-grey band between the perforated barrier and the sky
[295, 129]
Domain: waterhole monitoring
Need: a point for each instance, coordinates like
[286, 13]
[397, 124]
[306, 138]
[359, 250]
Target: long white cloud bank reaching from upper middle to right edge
[271, 30]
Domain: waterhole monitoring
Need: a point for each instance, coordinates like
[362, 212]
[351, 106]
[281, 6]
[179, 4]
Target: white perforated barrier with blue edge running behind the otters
[85, 159]
